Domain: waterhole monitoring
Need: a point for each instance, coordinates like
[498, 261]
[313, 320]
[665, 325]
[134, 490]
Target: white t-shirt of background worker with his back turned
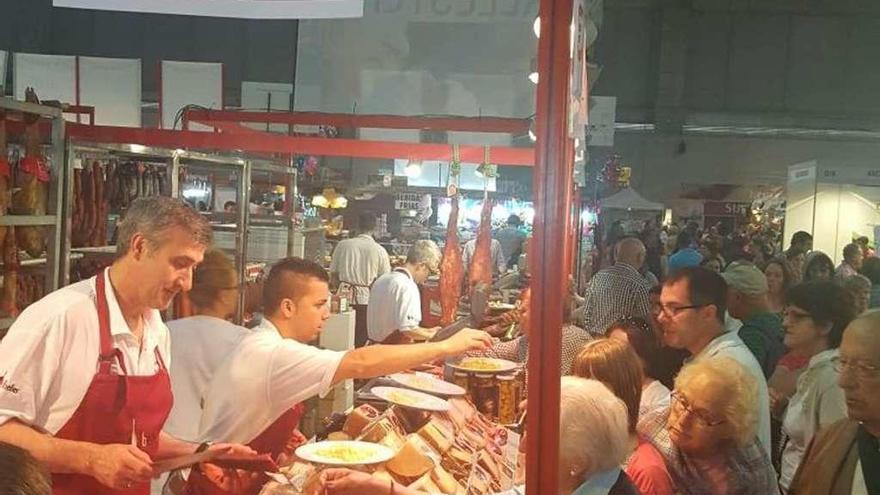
[360, 261]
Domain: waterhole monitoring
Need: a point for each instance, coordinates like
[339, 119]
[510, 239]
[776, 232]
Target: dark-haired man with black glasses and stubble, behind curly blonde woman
[692, 306]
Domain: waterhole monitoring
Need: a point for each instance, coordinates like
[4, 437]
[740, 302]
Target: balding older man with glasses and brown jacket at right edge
[845, 457]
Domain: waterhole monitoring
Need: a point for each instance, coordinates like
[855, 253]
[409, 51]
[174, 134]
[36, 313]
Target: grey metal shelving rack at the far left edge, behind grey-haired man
[54, 220]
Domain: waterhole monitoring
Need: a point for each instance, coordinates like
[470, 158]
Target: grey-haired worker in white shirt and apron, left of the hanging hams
[395, 309]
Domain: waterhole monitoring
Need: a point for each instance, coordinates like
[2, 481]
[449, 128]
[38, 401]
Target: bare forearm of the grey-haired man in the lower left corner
[58, 455]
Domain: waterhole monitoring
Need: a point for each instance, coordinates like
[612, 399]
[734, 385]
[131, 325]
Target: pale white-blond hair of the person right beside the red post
[594, 434]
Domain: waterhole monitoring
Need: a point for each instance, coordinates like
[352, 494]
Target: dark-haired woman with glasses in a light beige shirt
[815, 317]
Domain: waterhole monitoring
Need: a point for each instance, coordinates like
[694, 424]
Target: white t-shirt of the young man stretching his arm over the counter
[263, 377]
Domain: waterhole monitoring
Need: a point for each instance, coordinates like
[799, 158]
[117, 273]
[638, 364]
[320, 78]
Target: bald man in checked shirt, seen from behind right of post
[617, 291]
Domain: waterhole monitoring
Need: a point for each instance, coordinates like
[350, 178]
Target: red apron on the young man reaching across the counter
[278, 438]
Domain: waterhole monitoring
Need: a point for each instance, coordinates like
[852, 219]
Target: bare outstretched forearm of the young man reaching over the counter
[378, 360]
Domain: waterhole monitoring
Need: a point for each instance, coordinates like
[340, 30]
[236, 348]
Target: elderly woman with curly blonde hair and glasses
[707, 436]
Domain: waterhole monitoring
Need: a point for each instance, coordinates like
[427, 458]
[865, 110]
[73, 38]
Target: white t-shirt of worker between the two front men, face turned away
[199, 344]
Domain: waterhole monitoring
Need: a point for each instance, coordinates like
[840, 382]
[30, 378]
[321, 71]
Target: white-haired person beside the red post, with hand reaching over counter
[593, 442]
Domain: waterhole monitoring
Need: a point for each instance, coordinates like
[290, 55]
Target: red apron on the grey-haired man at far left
[113, 406]
